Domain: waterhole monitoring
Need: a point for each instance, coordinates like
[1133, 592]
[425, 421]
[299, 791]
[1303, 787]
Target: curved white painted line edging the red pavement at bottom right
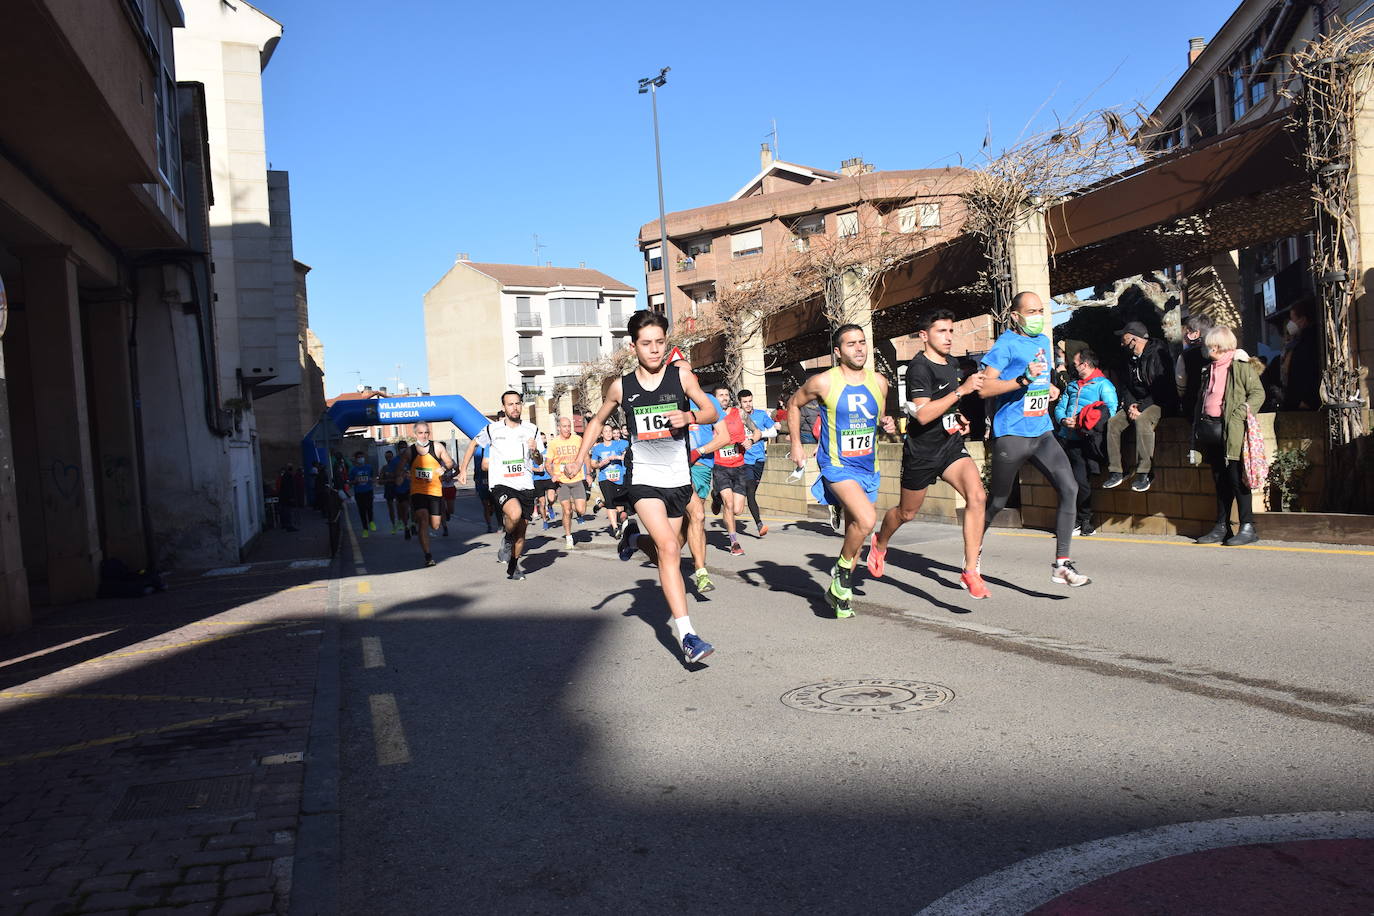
[1039, 880]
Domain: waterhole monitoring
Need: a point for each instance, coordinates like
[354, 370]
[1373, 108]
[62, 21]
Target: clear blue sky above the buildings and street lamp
[423, 128]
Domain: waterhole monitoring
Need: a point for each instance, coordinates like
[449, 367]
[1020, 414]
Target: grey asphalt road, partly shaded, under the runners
[538, 746]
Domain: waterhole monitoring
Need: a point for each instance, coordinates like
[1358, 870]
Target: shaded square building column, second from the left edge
[67, 472]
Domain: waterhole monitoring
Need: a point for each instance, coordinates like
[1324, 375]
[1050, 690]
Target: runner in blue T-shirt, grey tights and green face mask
[1017, 376]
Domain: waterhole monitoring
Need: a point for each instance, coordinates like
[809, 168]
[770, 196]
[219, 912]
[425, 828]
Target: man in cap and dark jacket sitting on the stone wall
[1148, 395]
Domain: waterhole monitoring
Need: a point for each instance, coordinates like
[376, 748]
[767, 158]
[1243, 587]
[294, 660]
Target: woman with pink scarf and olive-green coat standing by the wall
[1230, 385]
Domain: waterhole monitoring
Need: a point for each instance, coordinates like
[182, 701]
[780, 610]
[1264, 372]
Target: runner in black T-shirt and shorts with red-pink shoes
[935, 447]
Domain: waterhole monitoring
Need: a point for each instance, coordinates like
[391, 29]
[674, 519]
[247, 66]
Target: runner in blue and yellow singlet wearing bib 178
[851, 402]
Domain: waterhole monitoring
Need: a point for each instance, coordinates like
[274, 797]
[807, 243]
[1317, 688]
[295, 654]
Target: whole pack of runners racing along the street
[679, 450]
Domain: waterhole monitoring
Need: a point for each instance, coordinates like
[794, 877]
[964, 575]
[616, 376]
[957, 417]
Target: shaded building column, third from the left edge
[116, 439]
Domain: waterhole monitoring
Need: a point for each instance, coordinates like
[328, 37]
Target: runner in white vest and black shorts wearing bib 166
[512, 455]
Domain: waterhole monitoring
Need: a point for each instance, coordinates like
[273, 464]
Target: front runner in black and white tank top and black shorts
[659, 485]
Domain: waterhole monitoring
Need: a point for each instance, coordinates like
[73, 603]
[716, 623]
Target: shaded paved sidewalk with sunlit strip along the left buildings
[152, 748]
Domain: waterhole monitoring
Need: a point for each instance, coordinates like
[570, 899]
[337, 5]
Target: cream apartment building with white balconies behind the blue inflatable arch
[493, 328]
